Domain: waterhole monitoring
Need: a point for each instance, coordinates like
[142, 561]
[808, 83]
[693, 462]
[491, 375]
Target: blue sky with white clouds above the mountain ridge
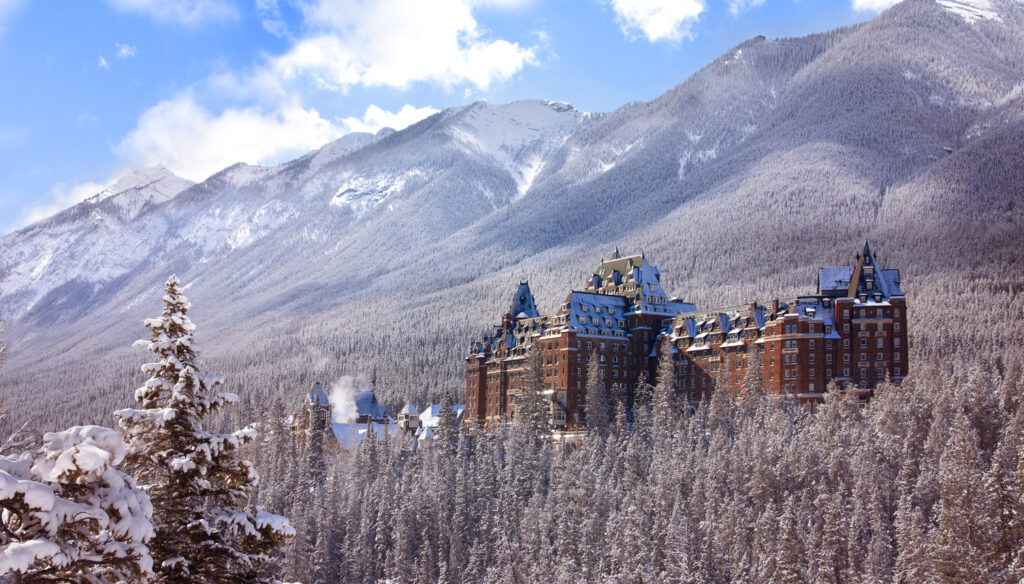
[97, 89]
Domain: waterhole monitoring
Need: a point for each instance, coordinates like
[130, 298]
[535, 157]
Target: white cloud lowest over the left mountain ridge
[194, 143]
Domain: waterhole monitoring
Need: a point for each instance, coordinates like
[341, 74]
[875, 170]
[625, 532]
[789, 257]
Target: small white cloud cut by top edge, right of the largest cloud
[658, 20]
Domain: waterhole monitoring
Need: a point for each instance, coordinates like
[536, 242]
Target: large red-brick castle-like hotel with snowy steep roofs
[852, 331]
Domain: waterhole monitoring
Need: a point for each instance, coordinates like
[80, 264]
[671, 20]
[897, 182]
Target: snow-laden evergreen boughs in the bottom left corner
[70, 516]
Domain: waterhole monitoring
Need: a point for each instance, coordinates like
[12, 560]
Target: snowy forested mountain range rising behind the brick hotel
[781, 156]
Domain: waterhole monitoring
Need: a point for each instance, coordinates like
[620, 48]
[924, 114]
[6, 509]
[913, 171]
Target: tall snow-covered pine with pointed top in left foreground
[197, 482]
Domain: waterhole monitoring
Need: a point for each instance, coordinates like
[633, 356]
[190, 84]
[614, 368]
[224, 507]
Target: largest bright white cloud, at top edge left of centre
[398, 43]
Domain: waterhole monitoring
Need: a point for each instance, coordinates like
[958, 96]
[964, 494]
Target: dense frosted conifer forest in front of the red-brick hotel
[919, 485]
